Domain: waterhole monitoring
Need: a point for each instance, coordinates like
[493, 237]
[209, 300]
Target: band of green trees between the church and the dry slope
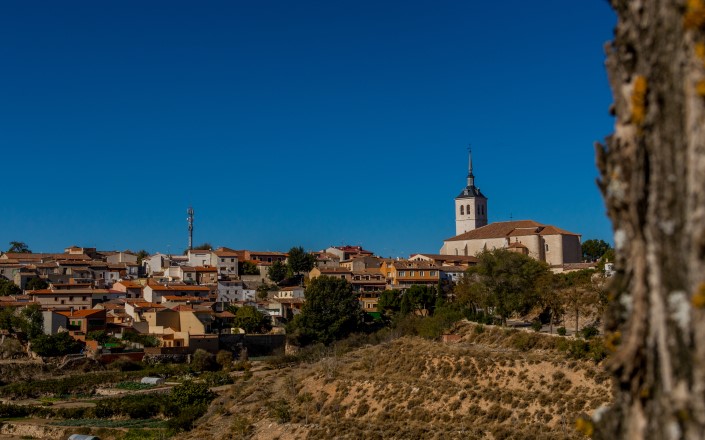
[502, 285]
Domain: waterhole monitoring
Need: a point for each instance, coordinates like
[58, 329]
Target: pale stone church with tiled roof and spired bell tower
[547, 243]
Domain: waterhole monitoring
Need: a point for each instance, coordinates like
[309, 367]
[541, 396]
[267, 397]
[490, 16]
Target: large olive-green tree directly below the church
[510, 280]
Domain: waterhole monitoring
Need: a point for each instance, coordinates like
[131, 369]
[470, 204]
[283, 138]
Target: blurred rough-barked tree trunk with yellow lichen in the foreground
[652, 178]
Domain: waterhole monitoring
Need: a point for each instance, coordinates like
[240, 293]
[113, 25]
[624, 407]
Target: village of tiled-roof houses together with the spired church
[183, 301]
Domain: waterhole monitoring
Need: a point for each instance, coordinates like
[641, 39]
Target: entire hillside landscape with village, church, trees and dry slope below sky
[239, 343]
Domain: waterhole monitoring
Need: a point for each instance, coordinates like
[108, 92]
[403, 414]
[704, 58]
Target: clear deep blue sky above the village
[296, 122]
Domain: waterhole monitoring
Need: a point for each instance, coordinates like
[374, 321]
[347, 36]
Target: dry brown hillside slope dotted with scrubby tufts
[412, 388]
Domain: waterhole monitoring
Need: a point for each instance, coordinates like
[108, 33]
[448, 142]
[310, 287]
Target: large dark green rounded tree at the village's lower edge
[331, 312]
